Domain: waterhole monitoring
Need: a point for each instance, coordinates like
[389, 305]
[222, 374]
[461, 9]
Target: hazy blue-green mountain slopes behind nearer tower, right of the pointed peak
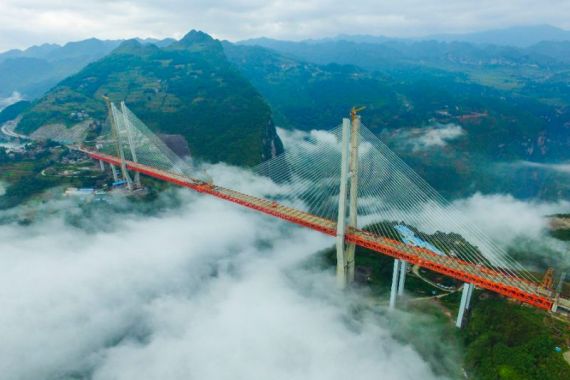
[459, 134]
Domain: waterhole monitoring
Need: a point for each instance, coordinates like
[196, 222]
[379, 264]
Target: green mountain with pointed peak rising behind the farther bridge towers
[187, 88]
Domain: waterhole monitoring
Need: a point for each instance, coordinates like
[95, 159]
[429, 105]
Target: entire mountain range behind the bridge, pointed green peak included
[467, 116]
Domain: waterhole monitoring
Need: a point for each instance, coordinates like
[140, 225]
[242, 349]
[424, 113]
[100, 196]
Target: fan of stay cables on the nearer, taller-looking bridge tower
[393, 200]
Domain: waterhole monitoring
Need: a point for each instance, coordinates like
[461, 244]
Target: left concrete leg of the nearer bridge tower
[341, 259]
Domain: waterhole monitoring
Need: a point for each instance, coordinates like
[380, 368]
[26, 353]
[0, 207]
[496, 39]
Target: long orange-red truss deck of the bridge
[487, 278]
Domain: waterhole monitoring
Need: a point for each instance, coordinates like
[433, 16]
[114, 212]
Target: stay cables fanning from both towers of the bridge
[394, 202]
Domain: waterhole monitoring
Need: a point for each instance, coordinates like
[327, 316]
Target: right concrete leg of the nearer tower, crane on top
[353, 204]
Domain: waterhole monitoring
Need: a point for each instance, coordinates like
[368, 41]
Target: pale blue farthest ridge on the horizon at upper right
[519, 36]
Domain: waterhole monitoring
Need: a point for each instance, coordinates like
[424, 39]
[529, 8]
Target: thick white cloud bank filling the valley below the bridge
[201, 290]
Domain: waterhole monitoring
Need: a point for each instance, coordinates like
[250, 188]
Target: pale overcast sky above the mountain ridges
[27, 22]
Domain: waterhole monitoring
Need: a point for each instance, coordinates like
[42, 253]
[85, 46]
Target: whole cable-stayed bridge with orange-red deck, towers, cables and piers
[329, 182]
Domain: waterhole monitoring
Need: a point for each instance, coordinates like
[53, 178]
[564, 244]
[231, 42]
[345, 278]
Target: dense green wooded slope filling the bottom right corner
[505, 340]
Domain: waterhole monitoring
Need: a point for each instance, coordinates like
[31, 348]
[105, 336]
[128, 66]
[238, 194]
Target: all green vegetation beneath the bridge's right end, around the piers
[502, 339]
